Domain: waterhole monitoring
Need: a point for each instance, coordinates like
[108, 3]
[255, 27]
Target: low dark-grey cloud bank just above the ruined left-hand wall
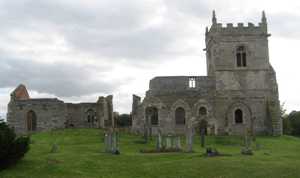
[60, 79]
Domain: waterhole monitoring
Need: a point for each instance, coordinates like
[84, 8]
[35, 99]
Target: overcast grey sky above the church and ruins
[77, 50]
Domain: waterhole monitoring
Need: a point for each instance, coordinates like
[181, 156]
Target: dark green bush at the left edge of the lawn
[12, 148]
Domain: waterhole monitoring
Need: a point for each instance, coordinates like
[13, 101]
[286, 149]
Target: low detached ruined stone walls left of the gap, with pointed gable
[27, 114]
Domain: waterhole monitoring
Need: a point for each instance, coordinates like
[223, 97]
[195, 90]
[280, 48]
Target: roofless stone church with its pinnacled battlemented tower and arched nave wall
[238, 94]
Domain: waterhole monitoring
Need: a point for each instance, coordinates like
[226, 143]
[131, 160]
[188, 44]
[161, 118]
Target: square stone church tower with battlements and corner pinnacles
[238, 58]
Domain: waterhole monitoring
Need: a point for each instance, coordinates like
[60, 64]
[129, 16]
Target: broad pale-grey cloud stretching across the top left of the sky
[113, 29]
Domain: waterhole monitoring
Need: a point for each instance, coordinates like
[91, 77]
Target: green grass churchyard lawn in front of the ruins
[81, 155]
